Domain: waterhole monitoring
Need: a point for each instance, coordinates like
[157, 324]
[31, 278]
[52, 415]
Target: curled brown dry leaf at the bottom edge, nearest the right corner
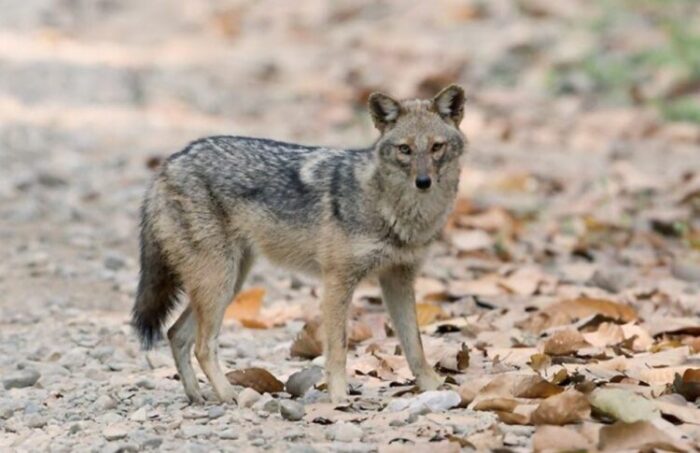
[642, 435]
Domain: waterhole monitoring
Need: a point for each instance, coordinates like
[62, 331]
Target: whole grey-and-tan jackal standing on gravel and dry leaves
[342, 215]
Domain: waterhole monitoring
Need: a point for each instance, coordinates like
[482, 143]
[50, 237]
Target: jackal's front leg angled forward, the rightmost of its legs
[399, 297]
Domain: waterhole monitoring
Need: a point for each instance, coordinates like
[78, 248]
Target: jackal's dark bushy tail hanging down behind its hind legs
[158, 290]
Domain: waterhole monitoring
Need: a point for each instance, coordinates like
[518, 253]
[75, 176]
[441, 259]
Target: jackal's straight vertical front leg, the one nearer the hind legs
[337, 293]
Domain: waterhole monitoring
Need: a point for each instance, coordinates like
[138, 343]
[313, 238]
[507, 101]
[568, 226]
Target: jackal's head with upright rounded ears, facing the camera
[420, 140]
